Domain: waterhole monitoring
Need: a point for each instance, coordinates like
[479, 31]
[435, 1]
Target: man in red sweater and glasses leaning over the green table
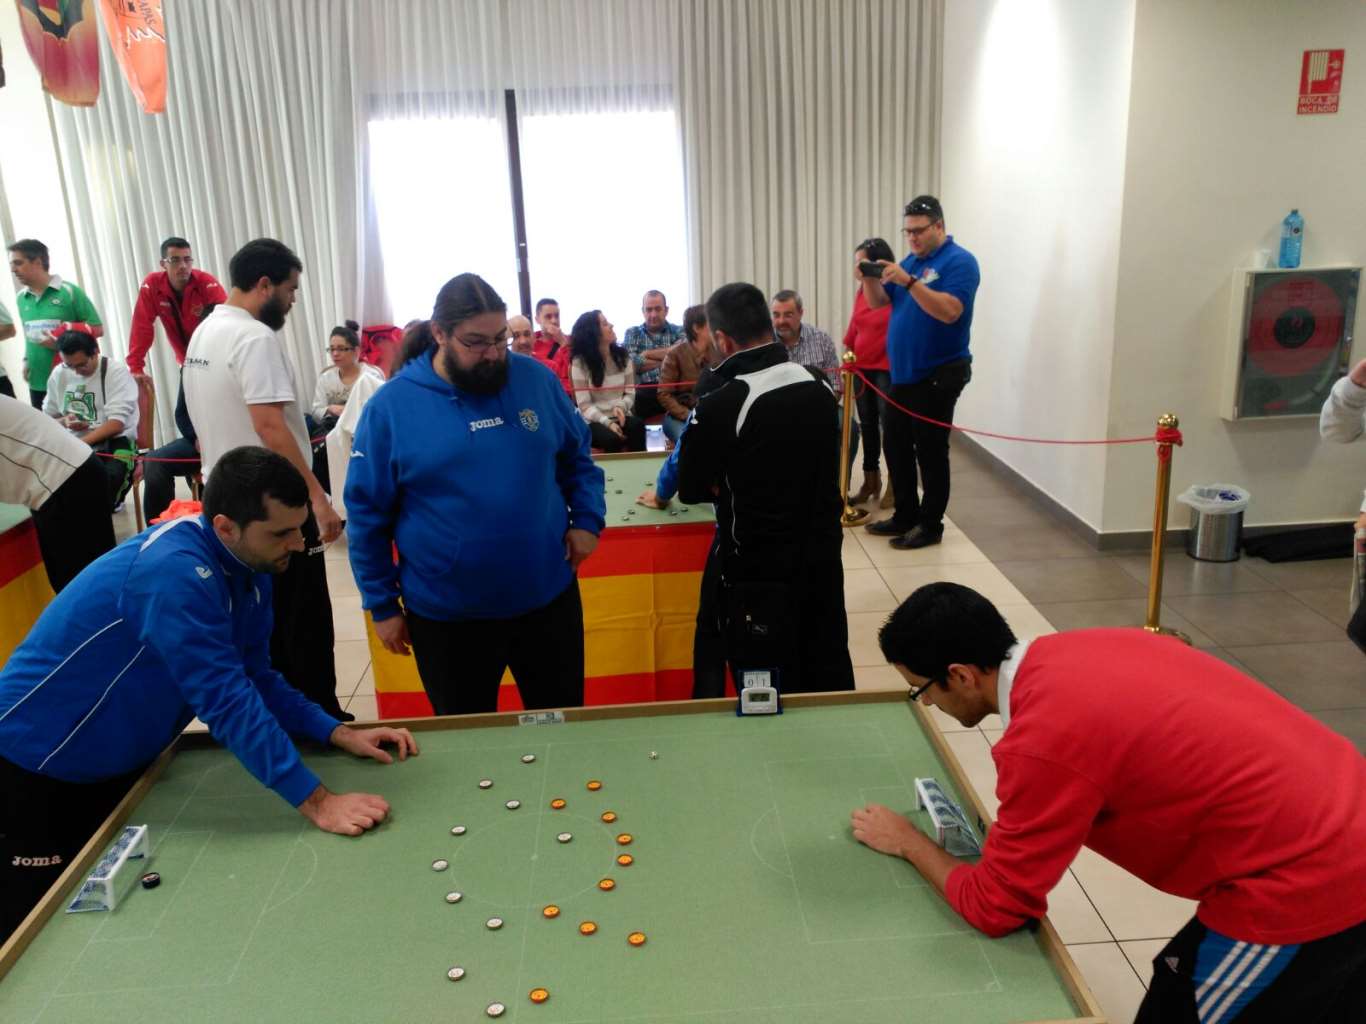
[1173, 765]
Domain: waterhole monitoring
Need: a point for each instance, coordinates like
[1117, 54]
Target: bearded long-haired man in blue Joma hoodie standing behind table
[475, 466]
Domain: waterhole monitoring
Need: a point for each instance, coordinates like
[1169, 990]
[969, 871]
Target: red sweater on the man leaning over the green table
[1182, 771]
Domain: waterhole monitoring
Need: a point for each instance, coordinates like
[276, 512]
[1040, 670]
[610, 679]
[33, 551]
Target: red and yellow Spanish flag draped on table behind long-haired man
[640, 607]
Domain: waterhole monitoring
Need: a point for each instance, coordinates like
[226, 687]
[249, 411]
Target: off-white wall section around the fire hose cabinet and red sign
[1216, 158]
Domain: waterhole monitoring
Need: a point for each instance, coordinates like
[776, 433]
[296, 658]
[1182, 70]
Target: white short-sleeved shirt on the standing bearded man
[236, 361]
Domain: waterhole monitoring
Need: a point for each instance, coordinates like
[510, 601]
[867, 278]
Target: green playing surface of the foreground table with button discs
[757, 903]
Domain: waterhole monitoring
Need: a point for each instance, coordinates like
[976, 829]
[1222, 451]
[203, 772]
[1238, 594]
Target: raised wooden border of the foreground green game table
[77, 870]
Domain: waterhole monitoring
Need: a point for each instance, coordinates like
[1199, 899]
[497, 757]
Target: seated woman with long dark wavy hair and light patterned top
[604, 386]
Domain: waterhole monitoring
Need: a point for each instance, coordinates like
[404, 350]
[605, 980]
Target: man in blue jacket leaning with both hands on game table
[171, 625]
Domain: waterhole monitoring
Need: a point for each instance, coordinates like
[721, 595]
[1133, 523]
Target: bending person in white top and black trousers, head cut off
[61, 481]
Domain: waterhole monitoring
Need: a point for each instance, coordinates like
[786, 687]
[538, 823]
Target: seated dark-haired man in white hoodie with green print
[96, 399]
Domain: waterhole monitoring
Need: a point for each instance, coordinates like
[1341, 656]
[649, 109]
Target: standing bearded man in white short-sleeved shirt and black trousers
[241, 390]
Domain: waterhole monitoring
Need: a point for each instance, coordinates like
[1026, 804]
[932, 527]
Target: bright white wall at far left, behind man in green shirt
[29, 171]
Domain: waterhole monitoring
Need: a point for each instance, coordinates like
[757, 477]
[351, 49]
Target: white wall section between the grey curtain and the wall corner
[1036, 99]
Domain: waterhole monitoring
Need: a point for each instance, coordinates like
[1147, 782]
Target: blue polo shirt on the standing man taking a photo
[917, 343]
